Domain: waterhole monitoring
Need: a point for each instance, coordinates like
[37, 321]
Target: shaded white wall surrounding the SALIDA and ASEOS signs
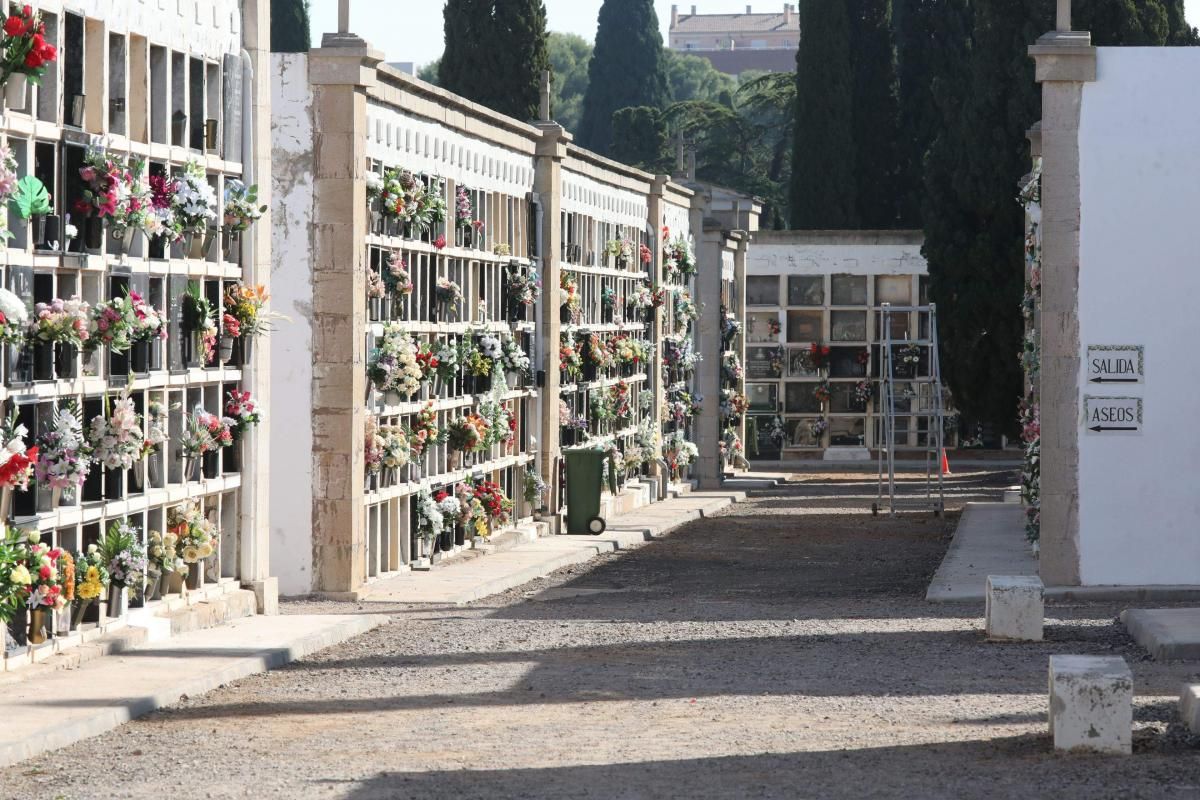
[1139, 508]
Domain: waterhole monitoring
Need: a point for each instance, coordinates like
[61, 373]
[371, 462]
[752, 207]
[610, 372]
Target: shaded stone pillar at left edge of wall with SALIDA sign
[1065, 63]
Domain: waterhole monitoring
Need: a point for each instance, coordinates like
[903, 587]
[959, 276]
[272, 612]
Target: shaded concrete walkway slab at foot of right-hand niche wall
[989, 540]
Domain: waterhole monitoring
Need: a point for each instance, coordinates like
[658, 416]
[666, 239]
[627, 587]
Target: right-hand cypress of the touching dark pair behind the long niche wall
[521, 57]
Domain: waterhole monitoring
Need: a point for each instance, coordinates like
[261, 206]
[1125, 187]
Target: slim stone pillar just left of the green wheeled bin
[548, 184]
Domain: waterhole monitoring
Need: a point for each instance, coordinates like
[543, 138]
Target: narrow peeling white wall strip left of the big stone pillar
[292, 197]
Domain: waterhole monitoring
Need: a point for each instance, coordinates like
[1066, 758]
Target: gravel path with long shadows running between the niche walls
[778, 651]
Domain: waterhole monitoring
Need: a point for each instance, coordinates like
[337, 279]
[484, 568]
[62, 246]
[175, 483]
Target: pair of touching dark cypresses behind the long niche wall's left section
[495, 53]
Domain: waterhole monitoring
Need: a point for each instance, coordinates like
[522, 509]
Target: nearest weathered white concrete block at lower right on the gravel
[1091, 705]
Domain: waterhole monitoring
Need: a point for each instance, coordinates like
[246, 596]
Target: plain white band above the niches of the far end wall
[847, 254]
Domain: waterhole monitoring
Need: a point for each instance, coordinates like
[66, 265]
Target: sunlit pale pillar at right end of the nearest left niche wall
[255, 513]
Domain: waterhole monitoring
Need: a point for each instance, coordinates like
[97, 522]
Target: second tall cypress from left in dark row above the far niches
[875, 112]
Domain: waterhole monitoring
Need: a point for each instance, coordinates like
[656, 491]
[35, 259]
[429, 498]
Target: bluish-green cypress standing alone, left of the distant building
[627, 69]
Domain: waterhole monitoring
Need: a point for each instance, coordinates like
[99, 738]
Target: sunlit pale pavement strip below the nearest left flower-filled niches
[69, 706]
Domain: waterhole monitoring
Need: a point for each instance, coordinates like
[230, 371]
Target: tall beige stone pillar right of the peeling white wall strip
[340, 73]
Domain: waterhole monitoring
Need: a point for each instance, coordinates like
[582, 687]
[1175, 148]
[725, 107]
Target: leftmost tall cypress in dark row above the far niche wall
[824, 188]
